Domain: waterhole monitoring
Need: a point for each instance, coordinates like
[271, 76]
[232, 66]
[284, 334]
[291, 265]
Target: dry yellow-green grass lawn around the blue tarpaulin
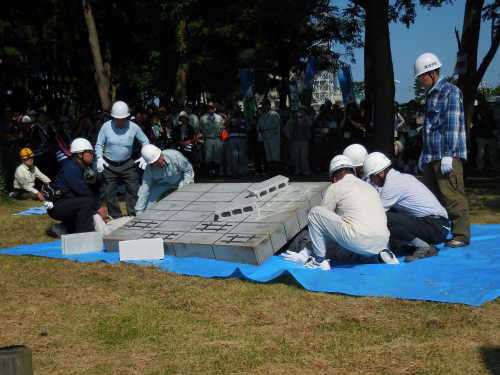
[96, 318]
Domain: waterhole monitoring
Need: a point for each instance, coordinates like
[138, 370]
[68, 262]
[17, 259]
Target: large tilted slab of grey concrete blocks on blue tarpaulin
[234, 222]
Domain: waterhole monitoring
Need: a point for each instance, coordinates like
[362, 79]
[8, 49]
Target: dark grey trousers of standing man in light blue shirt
[113, 176]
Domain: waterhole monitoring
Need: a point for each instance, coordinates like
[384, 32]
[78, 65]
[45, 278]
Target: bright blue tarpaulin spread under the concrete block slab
[468, 275]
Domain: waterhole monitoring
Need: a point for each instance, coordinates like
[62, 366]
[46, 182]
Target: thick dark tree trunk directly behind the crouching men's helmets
[381, 76]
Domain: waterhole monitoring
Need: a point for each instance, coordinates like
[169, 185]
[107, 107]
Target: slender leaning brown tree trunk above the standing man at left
[102, 71]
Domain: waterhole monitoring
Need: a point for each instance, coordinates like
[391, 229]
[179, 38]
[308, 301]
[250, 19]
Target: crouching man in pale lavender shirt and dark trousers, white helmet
[414, 215]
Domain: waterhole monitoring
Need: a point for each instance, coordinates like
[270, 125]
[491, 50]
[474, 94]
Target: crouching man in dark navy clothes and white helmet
[74, 202]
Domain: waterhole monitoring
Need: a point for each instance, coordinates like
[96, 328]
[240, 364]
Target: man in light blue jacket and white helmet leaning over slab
[166, 169]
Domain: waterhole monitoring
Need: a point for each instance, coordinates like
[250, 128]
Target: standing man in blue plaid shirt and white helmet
[444, 145]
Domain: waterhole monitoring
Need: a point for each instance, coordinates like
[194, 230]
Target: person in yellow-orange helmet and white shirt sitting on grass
[25, 177]
